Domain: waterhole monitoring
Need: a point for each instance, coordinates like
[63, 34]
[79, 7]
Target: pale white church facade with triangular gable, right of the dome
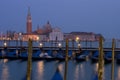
[56, 35]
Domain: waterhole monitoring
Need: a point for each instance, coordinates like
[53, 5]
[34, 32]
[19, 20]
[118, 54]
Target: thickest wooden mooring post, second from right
[101, 60]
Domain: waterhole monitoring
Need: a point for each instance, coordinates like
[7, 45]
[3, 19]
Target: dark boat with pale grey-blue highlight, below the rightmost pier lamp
[83, 56]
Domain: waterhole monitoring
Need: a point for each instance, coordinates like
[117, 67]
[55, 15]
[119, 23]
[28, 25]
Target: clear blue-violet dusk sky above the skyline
[98, 16]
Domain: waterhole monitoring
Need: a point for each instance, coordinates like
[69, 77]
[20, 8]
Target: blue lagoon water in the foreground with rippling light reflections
[44, 70]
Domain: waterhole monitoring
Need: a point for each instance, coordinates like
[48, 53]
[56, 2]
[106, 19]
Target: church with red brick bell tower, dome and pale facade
[41, 34]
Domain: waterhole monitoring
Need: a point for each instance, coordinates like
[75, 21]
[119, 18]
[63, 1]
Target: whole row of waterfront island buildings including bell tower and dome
[46, 33]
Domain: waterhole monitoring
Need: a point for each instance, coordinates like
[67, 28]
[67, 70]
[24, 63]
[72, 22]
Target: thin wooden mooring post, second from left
[66, 61]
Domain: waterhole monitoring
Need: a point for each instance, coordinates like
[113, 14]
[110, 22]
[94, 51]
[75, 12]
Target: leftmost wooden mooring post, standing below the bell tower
[29, 63]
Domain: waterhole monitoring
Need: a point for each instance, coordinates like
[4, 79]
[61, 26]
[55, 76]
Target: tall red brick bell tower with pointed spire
[29, 22]
